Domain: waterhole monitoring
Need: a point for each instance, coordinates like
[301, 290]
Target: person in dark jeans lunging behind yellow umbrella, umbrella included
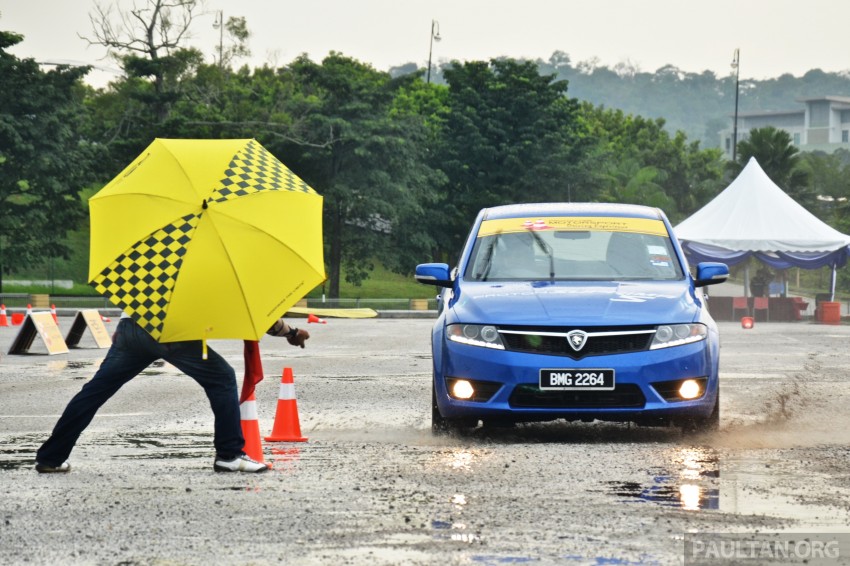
[196, 240]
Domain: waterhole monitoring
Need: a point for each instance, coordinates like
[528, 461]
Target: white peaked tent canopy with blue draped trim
[754, 217]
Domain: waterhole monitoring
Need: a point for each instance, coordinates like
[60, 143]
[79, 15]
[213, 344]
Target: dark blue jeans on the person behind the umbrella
[132, 351]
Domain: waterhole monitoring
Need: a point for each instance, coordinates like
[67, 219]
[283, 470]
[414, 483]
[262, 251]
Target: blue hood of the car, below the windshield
[575, 303]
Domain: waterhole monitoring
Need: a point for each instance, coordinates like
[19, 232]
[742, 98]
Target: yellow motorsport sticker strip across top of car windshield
[573, 224]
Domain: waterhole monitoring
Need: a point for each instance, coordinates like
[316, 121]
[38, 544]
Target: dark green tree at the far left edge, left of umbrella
[44, 159]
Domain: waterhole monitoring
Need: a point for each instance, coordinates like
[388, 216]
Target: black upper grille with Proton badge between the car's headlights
[616, 340]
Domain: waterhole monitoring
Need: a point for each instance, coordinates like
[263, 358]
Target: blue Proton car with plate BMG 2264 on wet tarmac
[577, 312]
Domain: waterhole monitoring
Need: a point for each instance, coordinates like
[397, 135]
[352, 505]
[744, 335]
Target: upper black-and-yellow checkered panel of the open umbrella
[255, 169]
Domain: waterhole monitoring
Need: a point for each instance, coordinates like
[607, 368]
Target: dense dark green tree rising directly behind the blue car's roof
[510, 135]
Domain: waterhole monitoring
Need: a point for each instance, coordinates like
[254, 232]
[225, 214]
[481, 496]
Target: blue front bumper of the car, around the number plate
[638, 394]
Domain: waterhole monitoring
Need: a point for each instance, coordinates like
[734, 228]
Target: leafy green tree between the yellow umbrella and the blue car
[364, 155]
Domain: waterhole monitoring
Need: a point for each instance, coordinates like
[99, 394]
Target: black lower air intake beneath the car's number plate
[624, 396]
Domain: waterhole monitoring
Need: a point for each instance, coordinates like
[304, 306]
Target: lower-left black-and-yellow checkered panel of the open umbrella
[141, 280]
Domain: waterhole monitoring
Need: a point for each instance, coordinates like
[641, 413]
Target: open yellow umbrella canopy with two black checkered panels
[202, 239]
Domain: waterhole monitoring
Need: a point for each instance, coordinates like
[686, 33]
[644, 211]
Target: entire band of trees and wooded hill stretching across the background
[403, 165]
